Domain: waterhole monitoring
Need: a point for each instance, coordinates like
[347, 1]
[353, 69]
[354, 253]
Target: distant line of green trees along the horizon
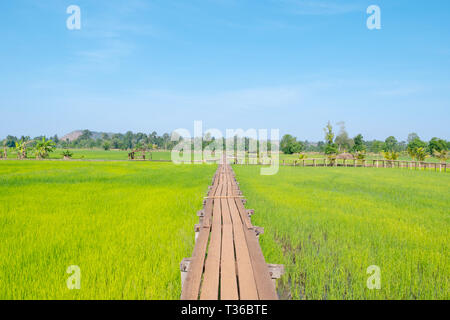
[332, 144]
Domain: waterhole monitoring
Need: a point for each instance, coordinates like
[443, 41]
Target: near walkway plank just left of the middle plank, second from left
[210, 285]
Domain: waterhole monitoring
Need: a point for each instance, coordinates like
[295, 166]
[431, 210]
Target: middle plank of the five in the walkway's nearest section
[228, 282]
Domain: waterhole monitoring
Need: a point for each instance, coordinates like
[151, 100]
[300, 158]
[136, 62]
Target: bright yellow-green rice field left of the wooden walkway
[127, 225]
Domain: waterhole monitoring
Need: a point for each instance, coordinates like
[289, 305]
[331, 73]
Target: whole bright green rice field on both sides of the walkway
[127, 225]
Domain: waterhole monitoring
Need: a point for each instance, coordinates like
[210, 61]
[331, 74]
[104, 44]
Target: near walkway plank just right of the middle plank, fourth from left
[246, 278]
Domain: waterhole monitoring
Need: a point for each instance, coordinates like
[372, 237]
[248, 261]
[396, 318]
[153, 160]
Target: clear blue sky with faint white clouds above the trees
[288, 64]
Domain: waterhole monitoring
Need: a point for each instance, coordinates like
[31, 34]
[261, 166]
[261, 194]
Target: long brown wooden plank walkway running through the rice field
[227, 262]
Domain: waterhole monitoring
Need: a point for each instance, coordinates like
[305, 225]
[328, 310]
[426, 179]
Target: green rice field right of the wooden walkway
[327, 225]
